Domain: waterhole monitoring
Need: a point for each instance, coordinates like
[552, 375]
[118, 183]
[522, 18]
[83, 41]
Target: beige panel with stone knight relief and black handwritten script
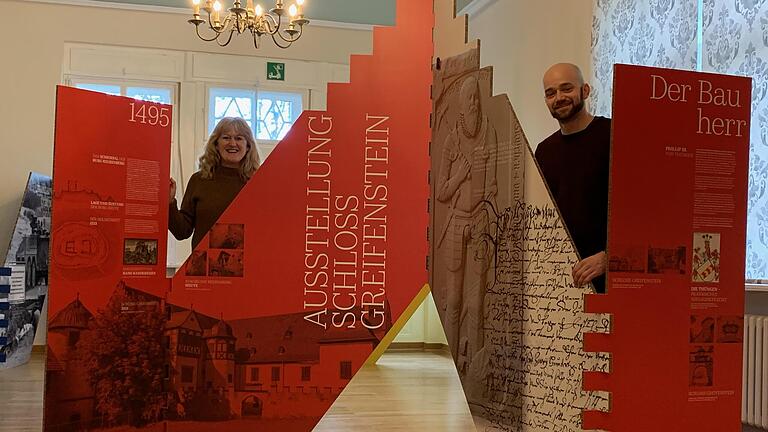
[501, 258]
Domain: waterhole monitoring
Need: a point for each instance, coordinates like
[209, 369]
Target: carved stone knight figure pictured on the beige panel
[466, 183]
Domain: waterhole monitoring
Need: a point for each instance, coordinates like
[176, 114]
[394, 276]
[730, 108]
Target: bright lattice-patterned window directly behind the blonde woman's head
[269, 113]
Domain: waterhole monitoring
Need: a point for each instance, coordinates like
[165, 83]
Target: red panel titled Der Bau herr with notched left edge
[677, 223]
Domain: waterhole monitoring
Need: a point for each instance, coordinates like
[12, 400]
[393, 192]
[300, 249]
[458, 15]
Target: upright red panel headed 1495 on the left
[109, 233]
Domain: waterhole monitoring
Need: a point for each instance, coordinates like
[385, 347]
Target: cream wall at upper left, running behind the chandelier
[34, 37]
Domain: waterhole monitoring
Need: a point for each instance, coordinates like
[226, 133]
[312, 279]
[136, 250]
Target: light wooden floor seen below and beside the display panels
[405, 391]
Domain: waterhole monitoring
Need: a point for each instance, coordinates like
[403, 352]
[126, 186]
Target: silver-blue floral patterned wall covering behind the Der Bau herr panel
[663, 33]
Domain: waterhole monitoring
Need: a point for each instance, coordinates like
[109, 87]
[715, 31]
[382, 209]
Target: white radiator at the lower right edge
[754, 401]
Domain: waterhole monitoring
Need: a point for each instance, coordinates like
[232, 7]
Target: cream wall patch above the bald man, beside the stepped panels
[521, 39]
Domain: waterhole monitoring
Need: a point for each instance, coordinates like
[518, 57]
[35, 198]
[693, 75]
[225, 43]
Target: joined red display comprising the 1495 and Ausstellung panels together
[289, 293]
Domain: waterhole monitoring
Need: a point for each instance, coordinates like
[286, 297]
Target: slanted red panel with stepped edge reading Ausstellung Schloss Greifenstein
[320, 253]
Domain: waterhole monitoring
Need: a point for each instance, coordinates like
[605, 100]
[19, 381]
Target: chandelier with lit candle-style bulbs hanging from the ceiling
[249, 18]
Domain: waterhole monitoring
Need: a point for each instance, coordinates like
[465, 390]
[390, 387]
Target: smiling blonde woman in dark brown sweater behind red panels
[230, 159]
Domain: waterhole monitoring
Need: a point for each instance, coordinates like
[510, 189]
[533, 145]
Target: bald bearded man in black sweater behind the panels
[574, 161]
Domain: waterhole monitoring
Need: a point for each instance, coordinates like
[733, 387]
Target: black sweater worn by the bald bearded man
[575, 167]
